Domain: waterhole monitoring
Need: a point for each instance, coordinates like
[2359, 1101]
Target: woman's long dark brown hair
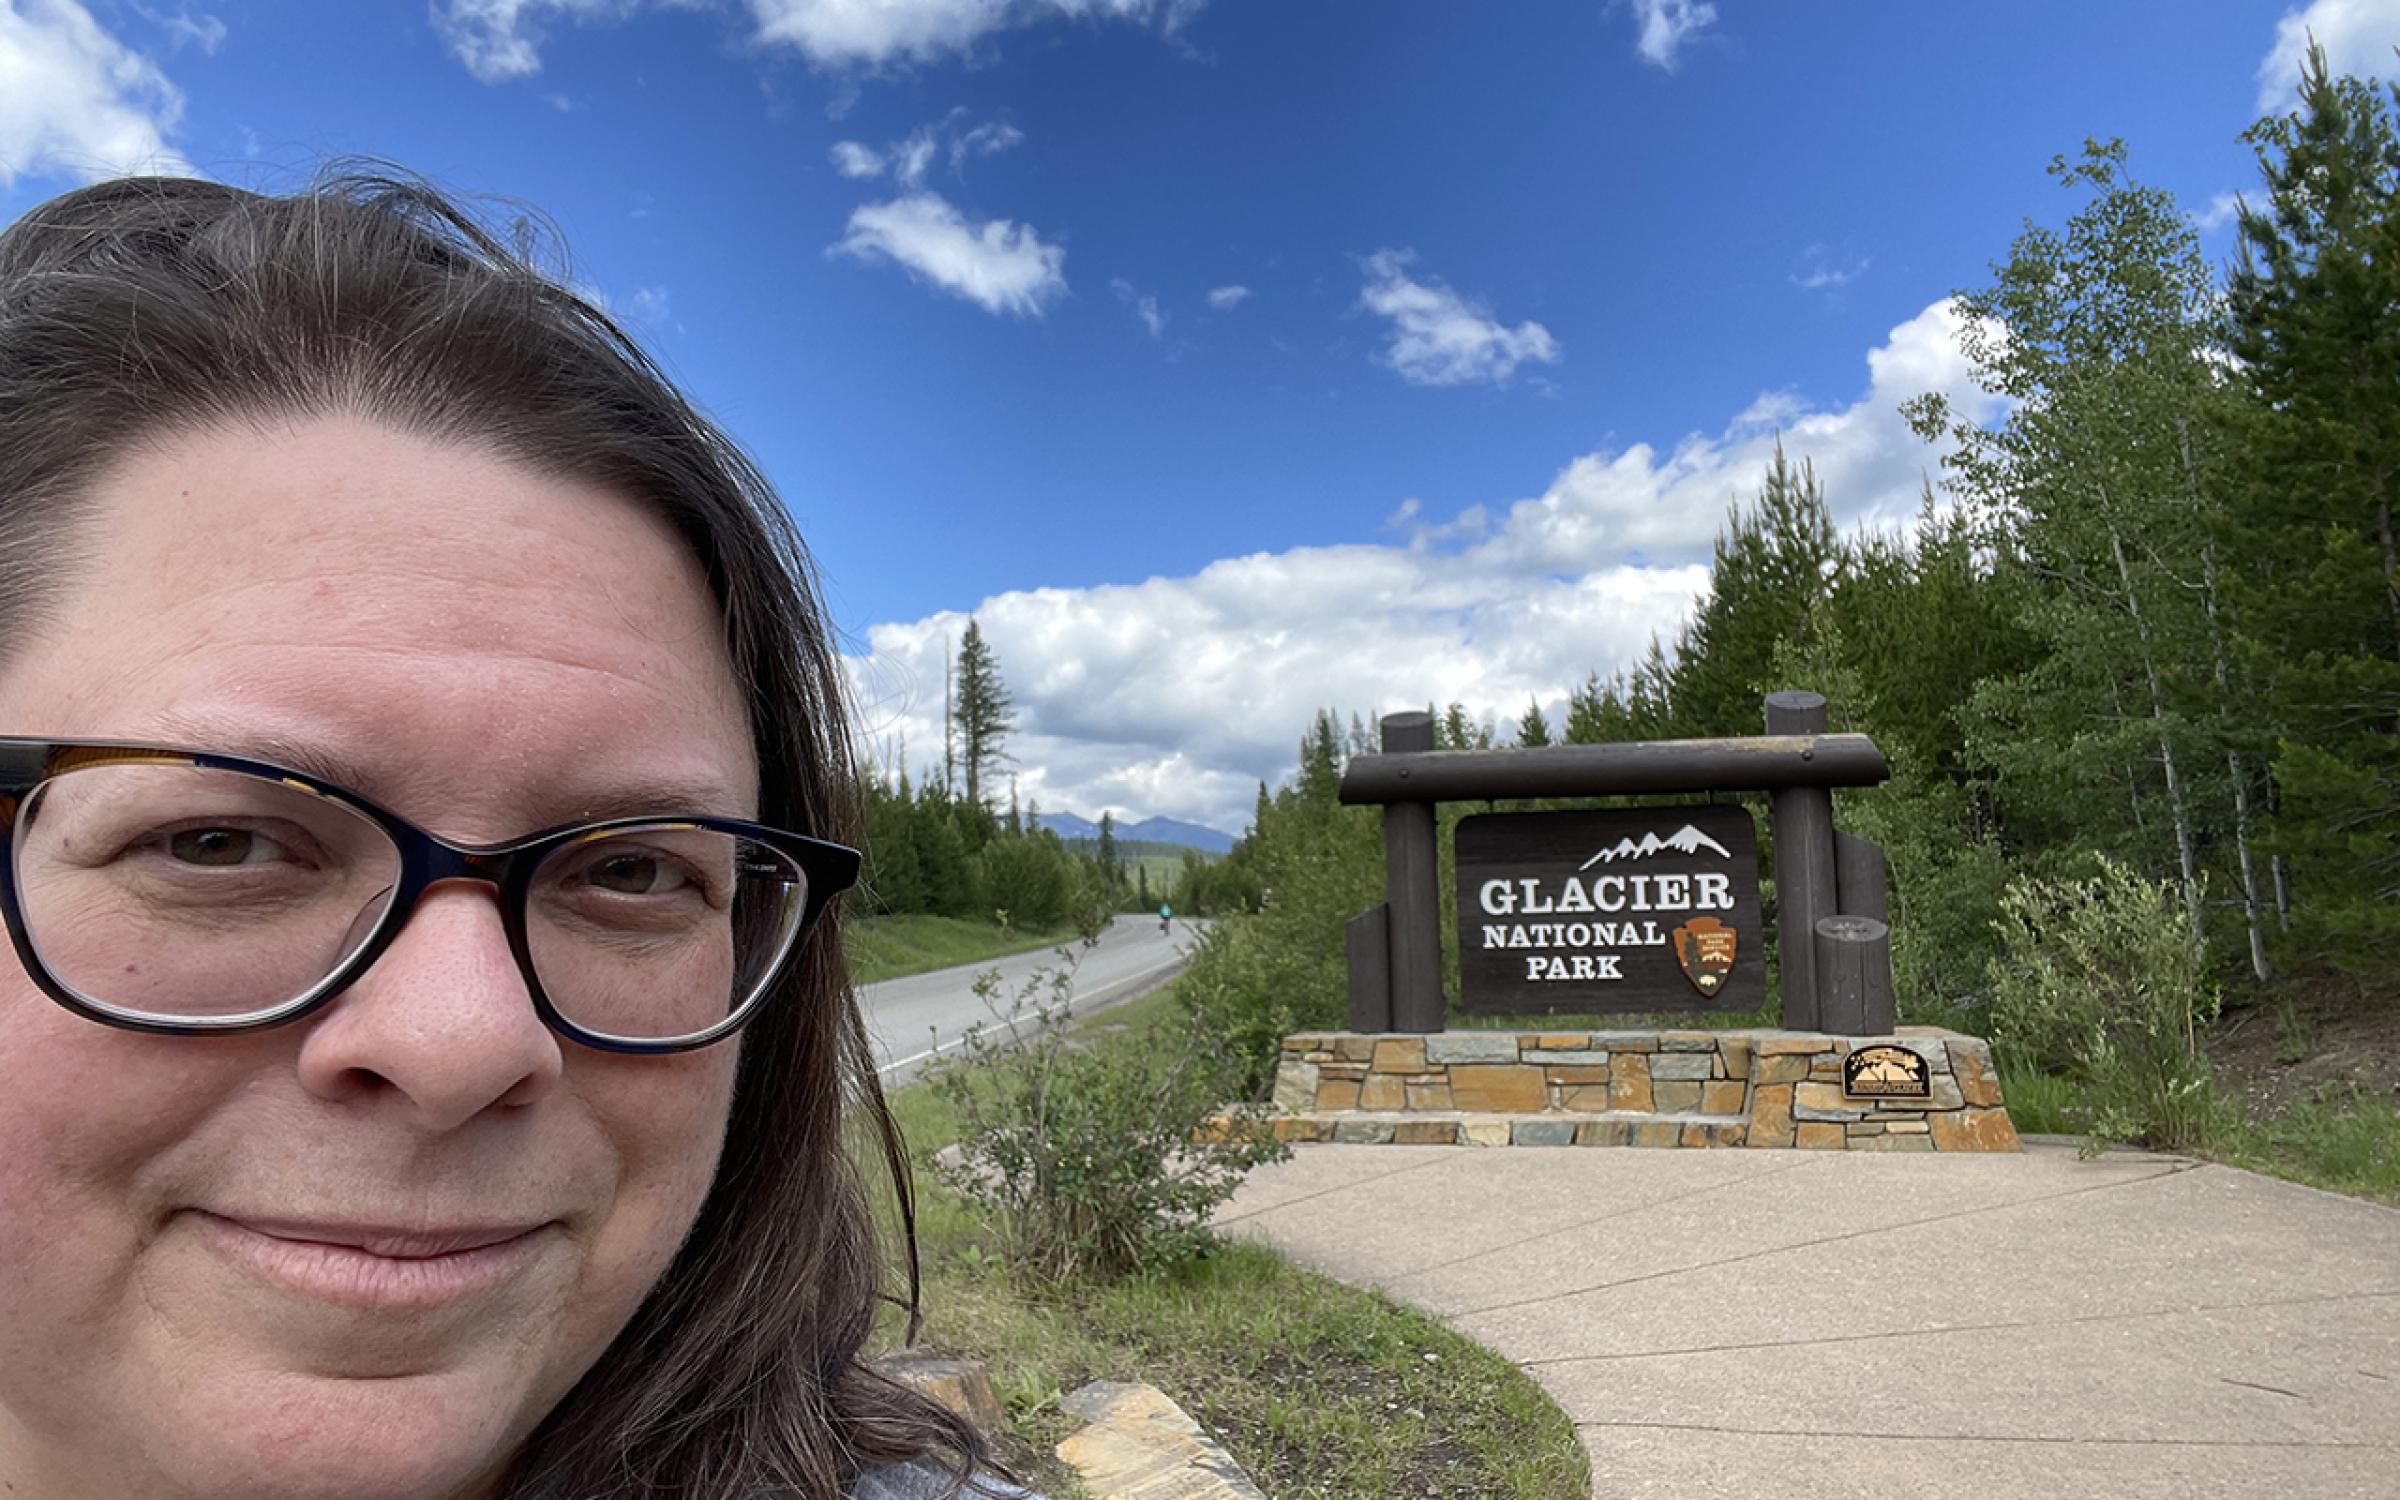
[143, 308]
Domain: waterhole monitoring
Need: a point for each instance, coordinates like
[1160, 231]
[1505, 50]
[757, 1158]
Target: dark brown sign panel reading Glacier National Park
[1648, 908]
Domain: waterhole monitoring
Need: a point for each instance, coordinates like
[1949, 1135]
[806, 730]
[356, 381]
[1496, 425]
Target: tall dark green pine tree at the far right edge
[2317, 342]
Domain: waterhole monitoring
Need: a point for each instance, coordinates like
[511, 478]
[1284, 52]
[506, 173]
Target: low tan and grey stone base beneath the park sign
[1775, 1091]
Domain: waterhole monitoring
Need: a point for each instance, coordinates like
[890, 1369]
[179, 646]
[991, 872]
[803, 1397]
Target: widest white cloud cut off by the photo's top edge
[877, 32]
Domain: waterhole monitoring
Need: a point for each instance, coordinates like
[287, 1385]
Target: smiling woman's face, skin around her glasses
[222, 1259]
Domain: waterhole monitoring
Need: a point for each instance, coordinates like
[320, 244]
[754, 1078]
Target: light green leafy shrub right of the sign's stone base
[2099, 978]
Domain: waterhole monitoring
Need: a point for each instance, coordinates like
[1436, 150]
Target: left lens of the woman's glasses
[196, 896]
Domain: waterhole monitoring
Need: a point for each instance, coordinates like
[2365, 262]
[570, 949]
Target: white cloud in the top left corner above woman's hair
[78, 102]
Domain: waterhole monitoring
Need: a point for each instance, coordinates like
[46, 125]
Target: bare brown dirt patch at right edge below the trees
[2308, 1036]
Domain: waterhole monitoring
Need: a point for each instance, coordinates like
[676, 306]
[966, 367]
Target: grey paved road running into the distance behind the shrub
[925, 1014]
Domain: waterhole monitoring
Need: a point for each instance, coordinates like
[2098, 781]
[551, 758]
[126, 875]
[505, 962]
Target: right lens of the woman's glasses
[661, 932]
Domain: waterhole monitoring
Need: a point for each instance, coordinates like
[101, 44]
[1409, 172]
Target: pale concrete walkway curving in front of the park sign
[1830, 1326]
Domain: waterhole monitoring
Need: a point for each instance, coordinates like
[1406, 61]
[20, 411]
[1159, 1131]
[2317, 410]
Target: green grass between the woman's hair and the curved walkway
[1321, 1391]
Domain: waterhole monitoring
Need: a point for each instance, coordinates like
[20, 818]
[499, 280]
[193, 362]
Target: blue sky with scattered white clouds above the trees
[1230, 359]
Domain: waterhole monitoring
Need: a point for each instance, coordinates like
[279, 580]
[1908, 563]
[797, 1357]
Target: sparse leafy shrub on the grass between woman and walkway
[1091, 1160]
